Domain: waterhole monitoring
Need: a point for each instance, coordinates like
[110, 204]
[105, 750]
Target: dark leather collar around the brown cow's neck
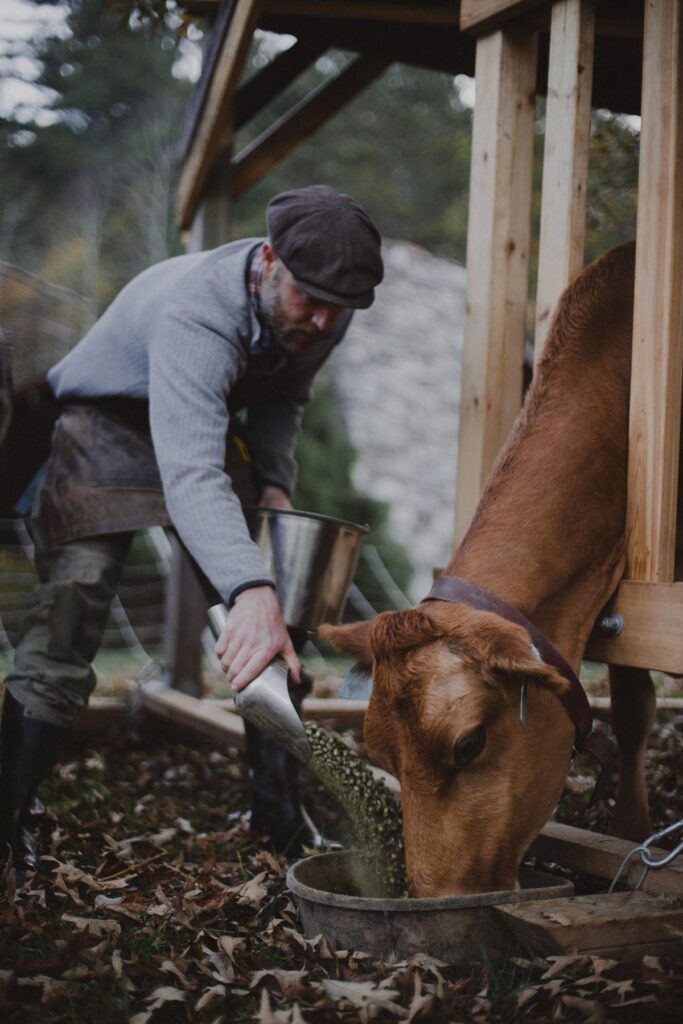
[459, 591]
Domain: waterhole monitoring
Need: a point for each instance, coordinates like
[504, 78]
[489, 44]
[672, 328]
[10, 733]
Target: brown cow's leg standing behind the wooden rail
[633, 709]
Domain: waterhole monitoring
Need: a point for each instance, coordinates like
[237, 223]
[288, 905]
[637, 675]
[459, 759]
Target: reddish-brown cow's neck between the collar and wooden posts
[548, 535]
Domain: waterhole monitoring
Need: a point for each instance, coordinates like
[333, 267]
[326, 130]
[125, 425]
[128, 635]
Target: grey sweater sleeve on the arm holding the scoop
[192, 369]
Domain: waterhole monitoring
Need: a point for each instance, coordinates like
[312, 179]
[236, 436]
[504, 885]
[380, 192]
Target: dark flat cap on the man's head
[328, 243]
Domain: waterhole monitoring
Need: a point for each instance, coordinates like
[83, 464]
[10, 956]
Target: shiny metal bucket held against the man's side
[313, 560]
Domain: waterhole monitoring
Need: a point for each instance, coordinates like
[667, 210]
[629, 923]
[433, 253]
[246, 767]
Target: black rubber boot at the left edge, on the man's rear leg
[29, 749]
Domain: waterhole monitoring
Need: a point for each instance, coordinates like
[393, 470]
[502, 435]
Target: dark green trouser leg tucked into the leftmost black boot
[53, 676]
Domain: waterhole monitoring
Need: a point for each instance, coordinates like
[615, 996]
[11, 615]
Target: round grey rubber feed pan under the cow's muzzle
[335, 899]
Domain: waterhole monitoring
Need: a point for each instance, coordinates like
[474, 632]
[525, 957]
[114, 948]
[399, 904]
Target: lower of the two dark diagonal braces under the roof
[261, 156]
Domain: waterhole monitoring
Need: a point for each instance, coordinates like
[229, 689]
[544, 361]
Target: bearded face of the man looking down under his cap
[297, 320]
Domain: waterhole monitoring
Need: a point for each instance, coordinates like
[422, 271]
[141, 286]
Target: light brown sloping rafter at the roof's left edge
[206, 144]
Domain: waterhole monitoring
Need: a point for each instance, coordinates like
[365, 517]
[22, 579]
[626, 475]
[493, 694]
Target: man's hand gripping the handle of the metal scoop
[254, 634]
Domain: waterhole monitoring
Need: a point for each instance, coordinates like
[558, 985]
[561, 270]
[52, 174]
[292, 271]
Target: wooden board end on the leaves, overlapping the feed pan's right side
[623, 926]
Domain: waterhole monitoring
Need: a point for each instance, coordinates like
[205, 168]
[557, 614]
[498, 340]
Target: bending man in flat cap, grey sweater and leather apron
[181, 405]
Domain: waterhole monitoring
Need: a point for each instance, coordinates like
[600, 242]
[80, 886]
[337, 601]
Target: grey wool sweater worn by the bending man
[185, 335]
